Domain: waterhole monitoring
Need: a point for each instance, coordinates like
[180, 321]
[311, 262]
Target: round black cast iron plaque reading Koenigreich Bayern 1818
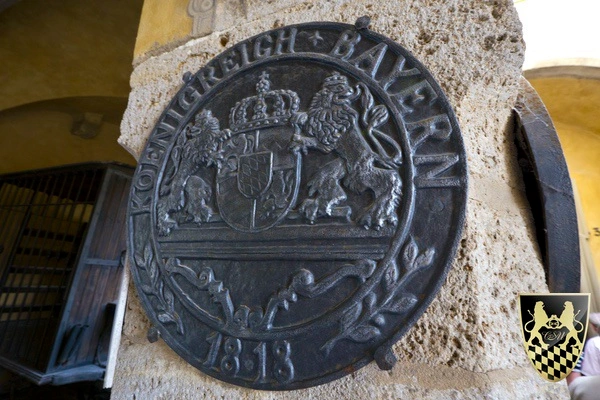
[297, 206]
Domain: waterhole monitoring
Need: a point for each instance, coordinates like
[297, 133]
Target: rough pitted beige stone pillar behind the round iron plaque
[467, 344]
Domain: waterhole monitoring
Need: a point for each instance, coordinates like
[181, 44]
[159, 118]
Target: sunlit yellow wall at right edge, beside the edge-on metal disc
[574, 105]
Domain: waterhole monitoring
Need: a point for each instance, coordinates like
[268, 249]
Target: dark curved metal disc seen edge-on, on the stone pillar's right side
[549, 191]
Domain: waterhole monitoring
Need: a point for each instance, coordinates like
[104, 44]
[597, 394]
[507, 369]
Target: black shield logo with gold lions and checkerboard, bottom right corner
[554, 328]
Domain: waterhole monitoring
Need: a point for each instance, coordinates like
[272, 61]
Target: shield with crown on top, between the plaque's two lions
[257, 183]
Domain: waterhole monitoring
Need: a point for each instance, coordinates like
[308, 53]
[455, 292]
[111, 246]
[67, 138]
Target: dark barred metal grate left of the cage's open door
[43, 220]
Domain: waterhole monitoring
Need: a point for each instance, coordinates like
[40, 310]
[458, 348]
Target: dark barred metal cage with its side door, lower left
[62, 232]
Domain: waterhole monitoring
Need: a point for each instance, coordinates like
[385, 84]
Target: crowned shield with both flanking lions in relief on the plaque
[248, 175]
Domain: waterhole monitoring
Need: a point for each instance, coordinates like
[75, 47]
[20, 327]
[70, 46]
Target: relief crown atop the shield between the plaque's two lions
[267, 108]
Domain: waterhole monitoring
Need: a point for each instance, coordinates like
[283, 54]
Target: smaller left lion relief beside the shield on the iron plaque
[182, 191]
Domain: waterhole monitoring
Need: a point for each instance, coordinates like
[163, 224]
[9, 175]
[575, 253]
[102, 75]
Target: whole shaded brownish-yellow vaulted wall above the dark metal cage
[58, 60]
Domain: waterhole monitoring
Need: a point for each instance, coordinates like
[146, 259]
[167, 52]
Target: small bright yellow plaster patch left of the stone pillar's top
[163, 22]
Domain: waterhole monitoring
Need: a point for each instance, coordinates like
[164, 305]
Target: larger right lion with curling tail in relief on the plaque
[368, 159]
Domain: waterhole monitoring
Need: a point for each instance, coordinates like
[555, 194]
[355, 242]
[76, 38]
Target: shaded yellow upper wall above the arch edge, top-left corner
[66, 48]
